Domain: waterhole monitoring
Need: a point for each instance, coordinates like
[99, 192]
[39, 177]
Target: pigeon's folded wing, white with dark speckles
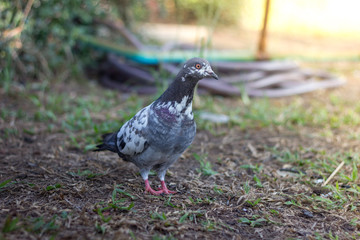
[132, 137]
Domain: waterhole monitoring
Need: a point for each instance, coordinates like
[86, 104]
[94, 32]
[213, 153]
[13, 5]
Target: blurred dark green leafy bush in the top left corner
[40, 37]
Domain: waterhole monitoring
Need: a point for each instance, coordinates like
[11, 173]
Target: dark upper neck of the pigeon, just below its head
[179, 89]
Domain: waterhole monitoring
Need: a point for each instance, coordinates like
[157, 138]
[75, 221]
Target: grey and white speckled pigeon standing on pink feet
[159, 133]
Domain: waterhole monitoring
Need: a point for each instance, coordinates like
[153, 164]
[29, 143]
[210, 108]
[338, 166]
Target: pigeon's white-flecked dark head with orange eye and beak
[197, 69]
